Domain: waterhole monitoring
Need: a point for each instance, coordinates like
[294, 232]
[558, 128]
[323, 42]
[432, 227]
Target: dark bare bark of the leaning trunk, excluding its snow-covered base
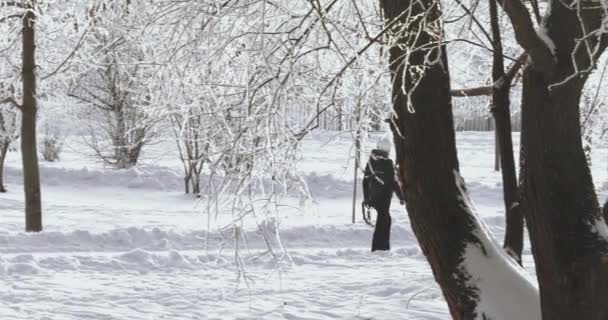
[426, 157]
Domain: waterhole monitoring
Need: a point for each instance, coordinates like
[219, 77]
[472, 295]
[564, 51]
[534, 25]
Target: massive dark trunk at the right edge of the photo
[562, 210]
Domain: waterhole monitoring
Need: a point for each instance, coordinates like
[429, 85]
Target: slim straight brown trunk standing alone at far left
[31, 175]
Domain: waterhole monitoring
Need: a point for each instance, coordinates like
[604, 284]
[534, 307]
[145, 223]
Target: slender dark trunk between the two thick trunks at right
[514, 234]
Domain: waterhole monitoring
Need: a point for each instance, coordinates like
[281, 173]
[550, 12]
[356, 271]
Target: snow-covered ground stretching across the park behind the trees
[130, 245]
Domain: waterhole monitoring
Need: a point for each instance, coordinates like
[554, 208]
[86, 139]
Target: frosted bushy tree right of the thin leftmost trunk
[112, 84]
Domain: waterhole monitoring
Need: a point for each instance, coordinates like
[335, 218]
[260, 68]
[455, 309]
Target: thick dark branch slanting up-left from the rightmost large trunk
[527, 38]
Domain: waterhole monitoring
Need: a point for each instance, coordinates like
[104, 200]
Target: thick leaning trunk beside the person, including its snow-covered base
[442, 218]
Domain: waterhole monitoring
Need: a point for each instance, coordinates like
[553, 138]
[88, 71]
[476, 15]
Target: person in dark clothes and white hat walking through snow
[379, 183]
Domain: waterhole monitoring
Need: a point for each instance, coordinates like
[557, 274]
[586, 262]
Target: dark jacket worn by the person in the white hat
[379, 181]
